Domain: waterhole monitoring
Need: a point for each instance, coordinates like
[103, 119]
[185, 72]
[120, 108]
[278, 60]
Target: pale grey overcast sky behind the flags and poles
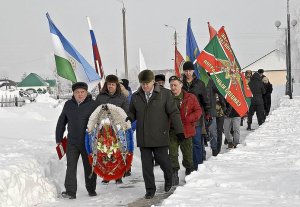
[26, 44]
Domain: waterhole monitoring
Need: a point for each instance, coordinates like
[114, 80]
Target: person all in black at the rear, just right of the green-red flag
[257, 103]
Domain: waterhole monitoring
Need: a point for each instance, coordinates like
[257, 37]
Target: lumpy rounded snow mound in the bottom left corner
[23, 181]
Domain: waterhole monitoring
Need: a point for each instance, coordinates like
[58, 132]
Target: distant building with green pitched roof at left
[33, 83]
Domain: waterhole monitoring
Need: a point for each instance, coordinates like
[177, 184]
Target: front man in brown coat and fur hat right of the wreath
[153, 106]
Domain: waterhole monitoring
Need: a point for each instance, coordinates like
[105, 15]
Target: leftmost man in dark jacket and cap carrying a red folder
[76, 113]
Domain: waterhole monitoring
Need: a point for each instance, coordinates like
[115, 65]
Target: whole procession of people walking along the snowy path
[186, 116]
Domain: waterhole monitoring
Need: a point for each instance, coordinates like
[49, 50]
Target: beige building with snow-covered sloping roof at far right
[274, 65]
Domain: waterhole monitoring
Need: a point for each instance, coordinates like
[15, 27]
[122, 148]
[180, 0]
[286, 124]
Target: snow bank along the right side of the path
[263, 171]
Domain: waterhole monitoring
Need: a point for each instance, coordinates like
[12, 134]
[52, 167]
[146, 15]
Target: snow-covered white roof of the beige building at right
[272, 61]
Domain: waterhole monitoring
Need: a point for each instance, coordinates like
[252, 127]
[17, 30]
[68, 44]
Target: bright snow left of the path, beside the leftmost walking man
[29, 167]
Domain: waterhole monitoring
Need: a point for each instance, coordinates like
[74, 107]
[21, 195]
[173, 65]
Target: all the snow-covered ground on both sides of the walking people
[263, 171]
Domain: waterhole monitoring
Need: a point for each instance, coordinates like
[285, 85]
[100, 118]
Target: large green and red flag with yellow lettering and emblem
[225, 72]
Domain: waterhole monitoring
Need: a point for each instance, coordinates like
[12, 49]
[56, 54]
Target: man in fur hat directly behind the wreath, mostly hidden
[111, 93]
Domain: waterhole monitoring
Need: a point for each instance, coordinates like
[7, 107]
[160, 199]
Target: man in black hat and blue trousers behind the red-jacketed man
[197, 87]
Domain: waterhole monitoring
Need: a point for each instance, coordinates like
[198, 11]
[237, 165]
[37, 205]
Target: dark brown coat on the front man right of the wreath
[153, 118]
